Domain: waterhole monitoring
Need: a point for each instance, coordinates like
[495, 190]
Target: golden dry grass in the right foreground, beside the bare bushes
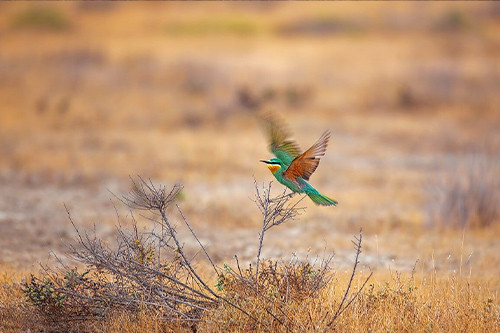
[400, 302]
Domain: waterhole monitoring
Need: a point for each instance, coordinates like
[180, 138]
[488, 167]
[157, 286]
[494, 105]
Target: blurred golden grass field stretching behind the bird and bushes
[92, 93]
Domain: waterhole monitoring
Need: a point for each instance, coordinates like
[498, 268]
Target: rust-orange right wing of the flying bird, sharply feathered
[305, 164]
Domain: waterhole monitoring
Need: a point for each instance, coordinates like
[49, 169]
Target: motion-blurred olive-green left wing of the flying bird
[279, 143]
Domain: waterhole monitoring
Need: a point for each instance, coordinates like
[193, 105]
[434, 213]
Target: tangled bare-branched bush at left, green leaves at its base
[144, 271]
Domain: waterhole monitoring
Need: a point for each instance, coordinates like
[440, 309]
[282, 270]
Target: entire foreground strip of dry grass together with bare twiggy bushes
[148, 282]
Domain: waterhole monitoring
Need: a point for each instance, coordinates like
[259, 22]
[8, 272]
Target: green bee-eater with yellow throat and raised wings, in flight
[290, 167]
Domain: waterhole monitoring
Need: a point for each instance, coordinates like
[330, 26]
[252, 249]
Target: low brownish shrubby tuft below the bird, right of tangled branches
[272, 297]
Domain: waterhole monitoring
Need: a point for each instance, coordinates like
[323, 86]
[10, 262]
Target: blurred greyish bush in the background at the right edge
[468, 194]
